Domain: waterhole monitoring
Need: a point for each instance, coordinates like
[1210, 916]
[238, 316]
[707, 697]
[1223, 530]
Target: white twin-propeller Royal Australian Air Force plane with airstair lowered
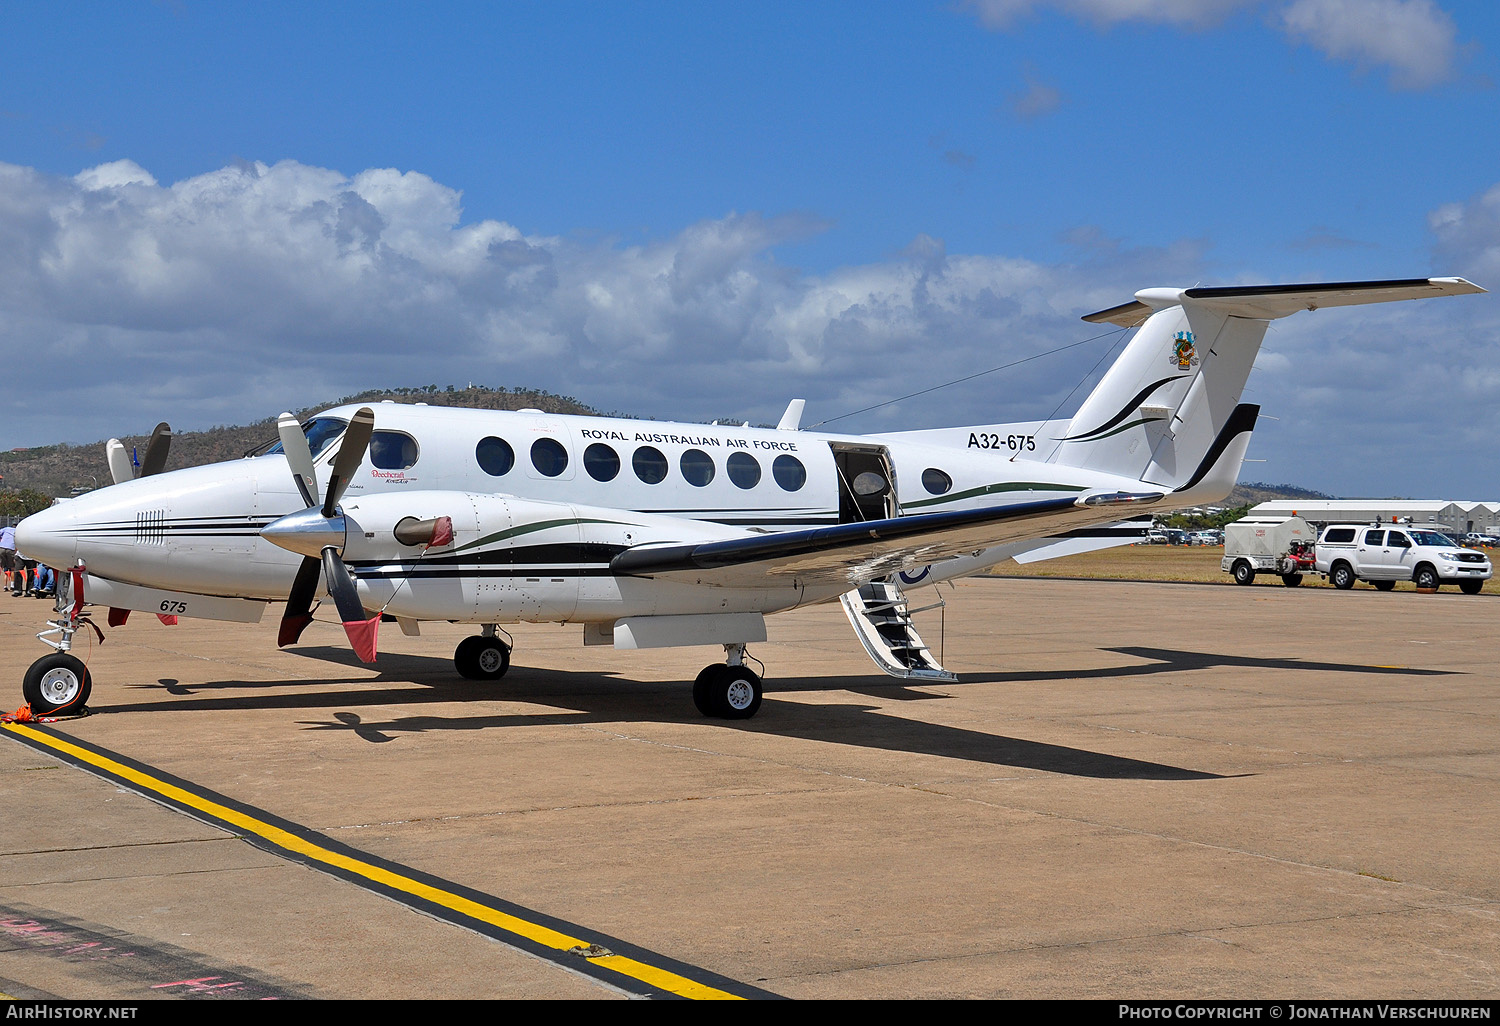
[653, 535]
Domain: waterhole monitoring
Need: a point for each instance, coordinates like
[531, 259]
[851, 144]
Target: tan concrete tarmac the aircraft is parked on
[1135, 791]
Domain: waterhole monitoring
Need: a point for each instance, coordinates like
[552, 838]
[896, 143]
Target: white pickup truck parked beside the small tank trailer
[1384, 554]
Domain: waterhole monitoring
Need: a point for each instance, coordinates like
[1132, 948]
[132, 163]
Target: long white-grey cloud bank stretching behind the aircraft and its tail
[254, 289]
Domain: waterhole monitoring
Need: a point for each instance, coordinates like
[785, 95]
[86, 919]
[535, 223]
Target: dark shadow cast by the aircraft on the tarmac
[607, 698]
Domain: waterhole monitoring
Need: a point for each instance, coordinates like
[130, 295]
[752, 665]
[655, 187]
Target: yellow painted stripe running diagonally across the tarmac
[538, 934]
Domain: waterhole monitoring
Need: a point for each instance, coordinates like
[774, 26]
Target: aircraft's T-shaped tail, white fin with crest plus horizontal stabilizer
[1169, 412]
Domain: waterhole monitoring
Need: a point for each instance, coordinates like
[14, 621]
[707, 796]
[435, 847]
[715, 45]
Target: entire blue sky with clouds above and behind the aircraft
[215, 212]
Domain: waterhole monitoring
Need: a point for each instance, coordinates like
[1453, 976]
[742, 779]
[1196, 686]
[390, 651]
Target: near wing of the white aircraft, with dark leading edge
[853, 554]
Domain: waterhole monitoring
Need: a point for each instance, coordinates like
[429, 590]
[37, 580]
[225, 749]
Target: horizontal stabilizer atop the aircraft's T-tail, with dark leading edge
[1268, 302]
